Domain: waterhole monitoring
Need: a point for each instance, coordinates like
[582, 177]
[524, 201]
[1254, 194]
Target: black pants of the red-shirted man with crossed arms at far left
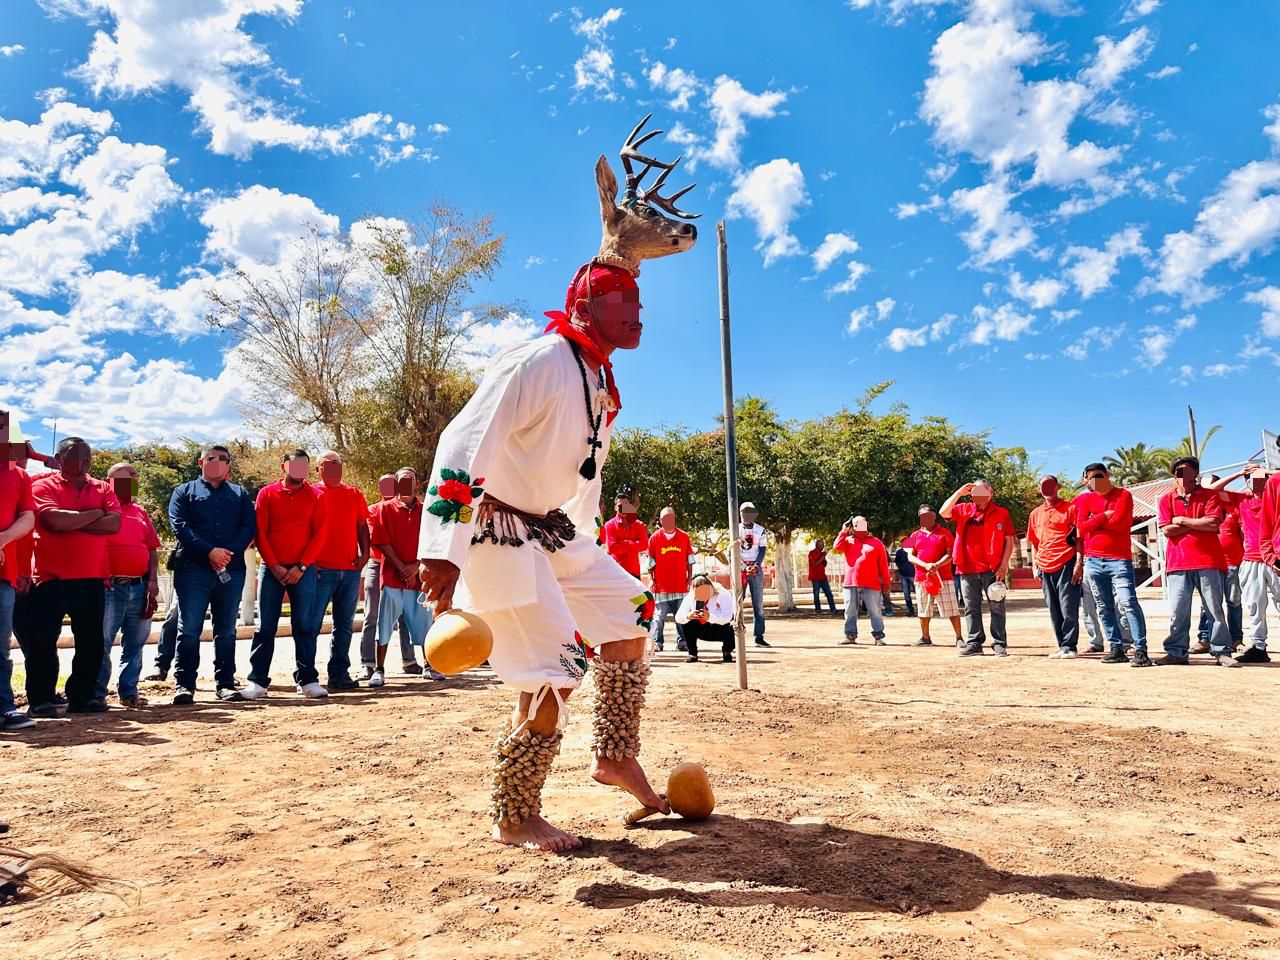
[84, 601]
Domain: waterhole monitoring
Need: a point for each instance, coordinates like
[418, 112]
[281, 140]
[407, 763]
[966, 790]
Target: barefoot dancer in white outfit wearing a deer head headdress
[511, 529]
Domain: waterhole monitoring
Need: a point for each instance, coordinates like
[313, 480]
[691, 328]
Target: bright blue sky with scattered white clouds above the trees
[1053, 221]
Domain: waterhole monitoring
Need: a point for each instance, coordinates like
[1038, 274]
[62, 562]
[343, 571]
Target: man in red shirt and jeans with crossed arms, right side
[1190, 518]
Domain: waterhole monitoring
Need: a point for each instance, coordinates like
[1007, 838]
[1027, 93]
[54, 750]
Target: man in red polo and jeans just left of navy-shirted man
[134, 589]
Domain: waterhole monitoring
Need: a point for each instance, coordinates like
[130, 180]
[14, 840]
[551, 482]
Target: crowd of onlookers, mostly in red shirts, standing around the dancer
[84, 550]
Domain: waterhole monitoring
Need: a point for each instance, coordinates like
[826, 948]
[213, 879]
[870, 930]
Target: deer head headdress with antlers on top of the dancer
[638, 227]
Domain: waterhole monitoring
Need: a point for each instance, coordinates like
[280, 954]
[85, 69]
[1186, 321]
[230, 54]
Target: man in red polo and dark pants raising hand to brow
[985, 542]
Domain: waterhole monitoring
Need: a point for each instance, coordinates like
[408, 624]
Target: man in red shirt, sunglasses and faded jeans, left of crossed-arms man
[1104, 516]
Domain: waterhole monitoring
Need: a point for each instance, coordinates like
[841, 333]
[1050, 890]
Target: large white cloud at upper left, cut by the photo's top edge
[203, 51]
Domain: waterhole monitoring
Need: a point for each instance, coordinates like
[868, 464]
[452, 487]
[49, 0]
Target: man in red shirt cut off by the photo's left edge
[17, 520]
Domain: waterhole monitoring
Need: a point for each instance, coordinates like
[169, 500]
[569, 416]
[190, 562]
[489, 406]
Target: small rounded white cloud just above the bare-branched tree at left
[260, 223]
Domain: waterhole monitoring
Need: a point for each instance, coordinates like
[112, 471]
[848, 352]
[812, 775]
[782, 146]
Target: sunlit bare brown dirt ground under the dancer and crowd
[872, 803]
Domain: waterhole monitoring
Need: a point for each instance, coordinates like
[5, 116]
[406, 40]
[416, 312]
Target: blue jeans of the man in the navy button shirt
[200, 593]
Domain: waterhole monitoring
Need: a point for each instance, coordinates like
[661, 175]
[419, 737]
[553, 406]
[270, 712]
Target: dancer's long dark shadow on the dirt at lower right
[833, 868]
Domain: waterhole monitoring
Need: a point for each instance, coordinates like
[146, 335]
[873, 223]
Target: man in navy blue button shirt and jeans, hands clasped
[214, 523]
